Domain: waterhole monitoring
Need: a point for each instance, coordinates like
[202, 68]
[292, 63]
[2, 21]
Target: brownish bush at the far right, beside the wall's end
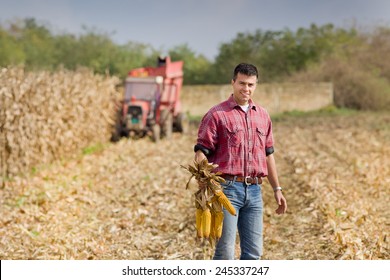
[358, 70]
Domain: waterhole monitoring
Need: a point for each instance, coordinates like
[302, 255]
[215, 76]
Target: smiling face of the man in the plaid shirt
[243, 88]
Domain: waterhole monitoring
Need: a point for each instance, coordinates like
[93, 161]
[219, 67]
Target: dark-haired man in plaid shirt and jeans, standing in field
[237, 135]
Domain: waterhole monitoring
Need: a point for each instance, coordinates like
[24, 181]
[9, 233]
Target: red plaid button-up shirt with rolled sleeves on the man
[237, 140]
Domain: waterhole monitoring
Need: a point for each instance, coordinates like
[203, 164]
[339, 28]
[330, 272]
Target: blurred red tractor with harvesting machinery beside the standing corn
[151, 103]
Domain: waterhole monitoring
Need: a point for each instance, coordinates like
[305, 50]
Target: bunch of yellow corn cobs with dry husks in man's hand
[209, 200]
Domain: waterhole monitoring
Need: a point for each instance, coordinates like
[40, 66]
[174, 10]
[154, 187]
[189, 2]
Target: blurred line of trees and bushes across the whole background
[309, 54]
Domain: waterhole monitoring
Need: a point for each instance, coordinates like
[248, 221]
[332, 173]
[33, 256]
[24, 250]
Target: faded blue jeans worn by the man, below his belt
[248, 202]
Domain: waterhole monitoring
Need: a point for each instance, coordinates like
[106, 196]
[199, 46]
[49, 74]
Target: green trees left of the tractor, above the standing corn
[33, 45]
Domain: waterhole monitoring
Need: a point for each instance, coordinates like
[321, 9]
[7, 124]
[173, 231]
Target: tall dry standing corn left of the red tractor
[45, 116]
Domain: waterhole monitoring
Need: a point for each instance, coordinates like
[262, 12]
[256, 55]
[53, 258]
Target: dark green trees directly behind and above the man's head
[278, 54]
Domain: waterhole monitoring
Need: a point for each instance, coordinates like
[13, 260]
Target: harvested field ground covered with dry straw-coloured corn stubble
[127, 200]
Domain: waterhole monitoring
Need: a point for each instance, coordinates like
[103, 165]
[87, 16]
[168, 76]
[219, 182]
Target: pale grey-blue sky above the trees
[201, 24]
